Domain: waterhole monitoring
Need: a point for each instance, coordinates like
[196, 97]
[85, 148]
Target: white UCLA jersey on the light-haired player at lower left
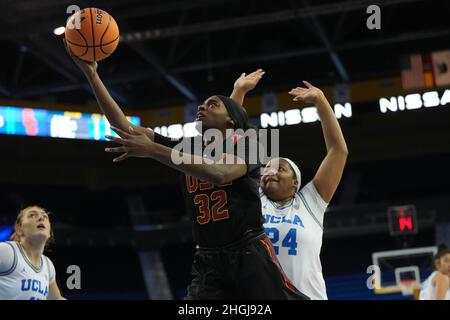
[19, 279]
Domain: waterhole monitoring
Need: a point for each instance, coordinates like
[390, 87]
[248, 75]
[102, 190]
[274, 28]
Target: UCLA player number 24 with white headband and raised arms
[293, 215]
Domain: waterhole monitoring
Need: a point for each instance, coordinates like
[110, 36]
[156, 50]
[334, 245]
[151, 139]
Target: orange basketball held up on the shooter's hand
[92, 34]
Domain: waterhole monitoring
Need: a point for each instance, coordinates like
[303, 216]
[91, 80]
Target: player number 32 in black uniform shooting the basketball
[234, 258]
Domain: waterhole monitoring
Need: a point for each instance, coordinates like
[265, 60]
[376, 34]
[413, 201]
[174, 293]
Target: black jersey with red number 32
[222, 215]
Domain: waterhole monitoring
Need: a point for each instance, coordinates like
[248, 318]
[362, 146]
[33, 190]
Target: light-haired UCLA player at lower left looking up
[25, 272]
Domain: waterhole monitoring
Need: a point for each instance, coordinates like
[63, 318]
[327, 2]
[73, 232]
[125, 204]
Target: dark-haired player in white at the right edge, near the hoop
[437, 285]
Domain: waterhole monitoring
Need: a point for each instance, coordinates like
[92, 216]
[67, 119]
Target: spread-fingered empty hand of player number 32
[134, 144]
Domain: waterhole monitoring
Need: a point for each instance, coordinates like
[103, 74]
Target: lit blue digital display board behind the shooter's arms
[56, 124]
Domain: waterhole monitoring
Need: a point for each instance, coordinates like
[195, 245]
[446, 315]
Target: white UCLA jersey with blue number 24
[296, 231]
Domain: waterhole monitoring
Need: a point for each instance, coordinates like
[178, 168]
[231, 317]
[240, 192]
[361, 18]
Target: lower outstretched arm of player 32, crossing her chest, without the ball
[134, 144]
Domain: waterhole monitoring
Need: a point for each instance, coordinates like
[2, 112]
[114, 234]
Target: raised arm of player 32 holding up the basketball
[109, 107]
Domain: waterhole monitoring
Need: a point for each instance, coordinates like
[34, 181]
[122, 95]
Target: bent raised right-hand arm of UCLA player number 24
[330, 171]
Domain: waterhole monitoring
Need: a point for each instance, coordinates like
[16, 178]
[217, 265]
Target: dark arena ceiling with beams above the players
[176, 51]
